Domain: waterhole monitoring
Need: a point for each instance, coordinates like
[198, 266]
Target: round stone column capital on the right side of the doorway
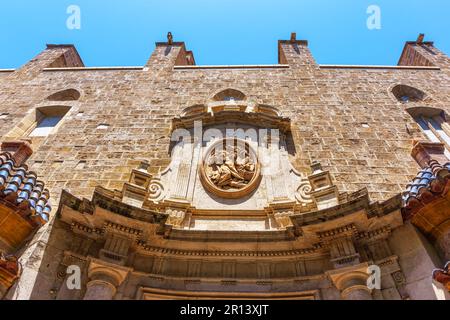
[352, 282]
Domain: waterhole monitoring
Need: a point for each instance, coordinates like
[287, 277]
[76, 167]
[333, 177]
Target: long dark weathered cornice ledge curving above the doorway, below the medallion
[104, 199]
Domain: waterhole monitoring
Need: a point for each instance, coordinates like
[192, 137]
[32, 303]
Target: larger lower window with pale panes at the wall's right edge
[433, 123]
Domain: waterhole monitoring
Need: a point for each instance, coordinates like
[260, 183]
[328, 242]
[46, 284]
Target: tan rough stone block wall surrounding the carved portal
[344, 117]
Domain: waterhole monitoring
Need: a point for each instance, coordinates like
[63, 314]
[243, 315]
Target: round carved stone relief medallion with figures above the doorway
[230, 169]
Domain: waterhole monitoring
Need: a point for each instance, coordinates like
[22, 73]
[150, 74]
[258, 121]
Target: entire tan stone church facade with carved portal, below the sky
[180, 181]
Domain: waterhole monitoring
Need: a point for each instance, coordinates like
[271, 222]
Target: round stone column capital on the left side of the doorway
[104, 279]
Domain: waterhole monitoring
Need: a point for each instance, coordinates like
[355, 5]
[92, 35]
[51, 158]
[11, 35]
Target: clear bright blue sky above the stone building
[119, 32]
